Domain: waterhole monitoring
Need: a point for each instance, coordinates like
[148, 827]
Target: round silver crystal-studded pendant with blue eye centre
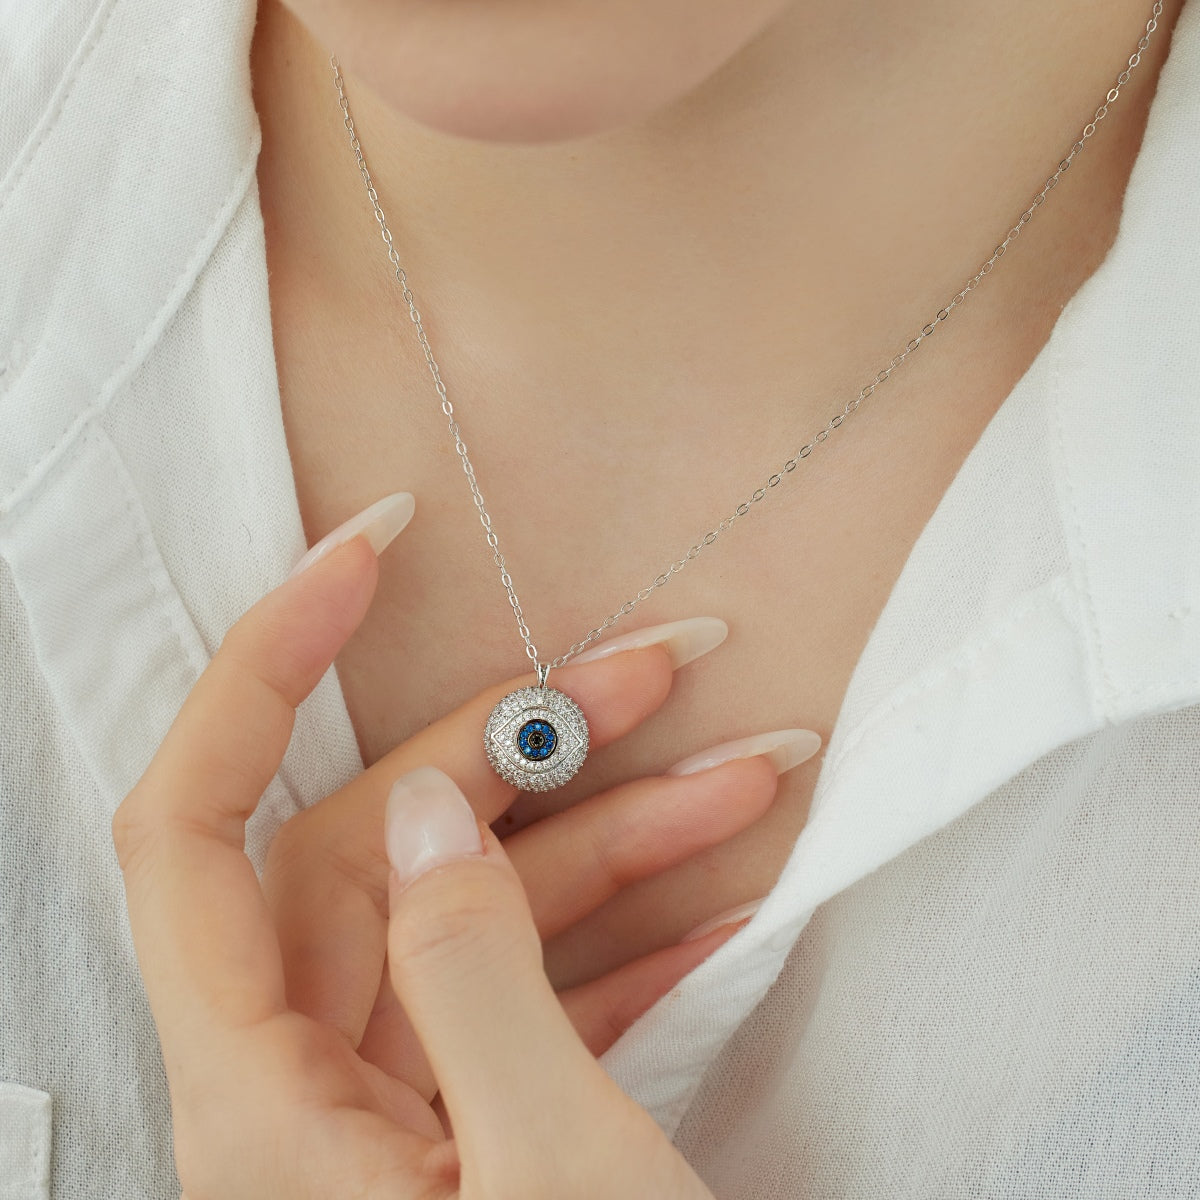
[537, 739]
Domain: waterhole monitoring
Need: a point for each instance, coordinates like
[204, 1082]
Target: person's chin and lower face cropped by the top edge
[533, 71]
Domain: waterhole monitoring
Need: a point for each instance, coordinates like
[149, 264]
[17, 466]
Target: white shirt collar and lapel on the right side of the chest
[1085, 613]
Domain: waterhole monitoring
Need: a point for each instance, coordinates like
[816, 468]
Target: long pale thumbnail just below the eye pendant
[429, 824]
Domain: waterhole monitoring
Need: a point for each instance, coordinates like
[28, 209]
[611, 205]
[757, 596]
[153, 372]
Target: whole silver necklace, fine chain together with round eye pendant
[537, 737]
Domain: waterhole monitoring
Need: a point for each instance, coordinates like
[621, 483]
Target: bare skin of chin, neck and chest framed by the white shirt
[627, 260]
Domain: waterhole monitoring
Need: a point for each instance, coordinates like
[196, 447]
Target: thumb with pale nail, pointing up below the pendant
[466, 964]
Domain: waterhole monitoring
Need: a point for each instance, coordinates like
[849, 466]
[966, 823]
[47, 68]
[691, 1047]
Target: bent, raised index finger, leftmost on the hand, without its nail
[203, 934]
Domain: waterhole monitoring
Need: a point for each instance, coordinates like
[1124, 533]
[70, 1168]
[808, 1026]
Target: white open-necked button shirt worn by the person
[979, 975]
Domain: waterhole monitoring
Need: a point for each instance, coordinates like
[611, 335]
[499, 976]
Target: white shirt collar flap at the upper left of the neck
[111, 211]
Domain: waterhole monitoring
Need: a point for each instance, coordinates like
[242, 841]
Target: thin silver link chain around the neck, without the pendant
[777, 477]
